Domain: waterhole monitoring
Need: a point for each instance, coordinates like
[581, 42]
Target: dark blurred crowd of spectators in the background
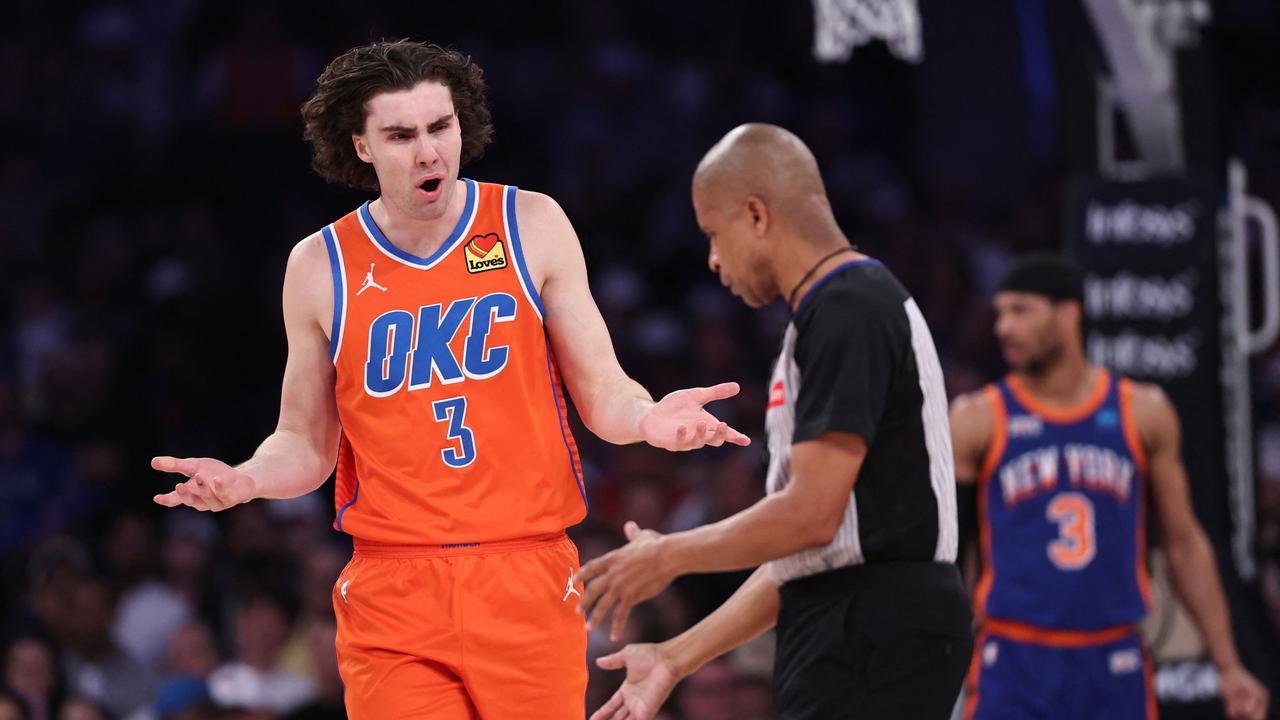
[154, 180]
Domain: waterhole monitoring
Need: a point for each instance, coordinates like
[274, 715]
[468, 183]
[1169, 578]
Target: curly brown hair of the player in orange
[340, 104]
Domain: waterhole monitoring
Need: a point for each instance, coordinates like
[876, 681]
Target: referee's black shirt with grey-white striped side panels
[858, 358]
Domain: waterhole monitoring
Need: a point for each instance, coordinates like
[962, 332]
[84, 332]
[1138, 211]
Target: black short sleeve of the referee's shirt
[847, 357]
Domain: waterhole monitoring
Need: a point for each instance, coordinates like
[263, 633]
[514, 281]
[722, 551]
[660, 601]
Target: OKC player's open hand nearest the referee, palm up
[679, 421]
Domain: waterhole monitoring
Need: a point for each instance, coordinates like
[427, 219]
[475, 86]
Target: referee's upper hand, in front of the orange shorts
[621, 580]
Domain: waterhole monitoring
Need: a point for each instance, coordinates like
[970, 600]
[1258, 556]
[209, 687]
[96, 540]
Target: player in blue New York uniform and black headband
[1058, 463]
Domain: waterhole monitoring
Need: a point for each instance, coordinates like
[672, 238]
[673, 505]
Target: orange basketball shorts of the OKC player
[486, 631]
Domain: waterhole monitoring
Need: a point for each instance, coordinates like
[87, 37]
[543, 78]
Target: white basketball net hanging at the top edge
[843, 25]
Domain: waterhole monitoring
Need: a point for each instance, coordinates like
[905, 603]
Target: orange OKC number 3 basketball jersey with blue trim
[454, 421]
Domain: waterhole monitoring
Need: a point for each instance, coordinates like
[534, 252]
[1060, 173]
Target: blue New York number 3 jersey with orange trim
[1063, 509]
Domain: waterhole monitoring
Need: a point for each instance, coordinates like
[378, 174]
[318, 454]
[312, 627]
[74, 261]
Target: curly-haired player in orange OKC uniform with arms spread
[428, 331]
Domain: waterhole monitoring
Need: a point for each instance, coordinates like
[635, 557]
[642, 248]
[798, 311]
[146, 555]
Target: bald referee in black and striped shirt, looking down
[857, 539]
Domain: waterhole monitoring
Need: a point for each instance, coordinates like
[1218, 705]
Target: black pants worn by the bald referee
[879, 641]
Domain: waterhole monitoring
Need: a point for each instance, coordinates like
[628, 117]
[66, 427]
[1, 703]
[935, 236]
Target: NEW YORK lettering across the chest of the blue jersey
[1089, 467]
